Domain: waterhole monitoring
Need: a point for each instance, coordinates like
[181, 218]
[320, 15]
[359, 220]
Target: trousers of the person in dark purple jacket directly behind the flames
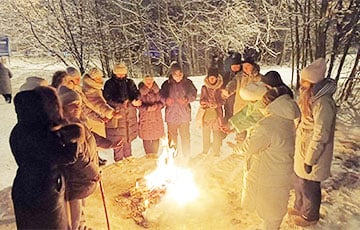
[184, 130]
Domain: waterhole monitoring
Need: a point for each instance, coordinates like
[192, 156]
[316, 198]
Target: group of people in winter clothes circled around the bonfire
[76, 115]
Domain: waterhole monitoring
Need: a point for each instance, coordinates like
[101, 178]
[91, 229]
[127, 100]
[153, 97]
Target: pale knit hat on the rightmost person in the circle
[314, 72]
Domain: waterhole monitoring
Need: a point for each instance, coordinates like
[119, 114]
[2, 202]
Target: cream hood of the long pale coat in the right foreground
[285, 107]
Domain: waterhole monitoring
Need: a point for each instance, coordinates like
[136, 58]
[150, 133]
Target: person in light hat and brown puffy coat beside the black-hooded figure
[84, 173]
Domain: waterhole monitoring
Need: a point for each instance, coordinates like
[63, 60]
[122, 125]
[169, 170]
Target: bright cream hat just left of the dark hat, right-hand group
[254, 91]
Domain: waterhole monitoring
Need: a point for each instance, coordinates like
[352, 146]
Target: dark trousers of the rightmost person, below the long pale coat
[307, 198]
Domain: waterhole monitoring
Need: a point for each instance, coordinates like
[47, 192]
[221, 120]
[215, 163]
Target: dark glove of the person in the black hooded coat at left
[72, 133]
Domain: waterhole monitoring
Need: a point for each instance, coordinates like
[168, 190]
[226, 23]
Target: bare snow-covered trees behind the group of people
[148, 35]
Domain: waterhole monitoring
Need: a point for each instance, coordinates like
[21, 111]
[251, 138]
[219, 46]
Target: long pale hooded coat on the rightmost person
[315, 134]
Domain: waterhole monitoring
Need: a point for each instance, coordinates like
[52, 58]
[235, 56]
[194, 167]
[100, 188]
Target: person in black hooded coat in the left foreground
[42, 146]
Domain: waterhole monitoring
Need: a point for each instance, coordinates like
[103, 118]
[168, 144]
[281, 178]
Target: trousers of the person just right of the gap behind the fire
[217, 140]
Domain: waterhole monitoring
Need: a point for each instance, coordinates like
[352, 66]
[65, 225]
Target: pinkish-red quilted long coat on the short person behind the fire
[151, 124]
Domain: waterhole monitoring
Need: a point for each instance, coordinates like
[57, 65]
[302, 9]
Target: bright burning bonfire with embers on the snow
[167, 180]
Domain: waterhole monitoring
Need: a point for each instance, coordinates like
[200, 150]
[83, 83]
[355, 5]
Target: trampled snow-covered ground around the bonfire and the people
[218, 178]
